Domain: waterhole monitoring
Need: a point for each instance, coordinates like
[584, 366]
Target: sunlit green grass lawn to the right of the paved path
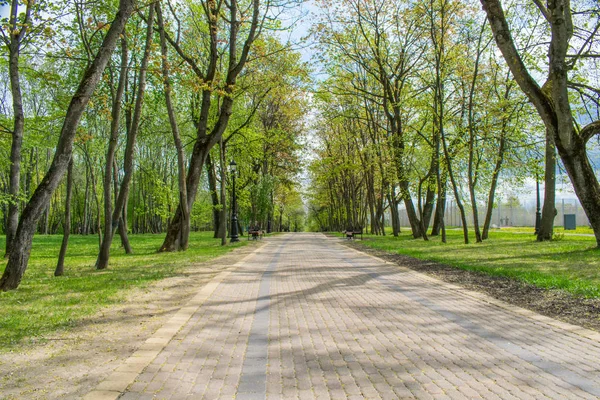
[571, 263]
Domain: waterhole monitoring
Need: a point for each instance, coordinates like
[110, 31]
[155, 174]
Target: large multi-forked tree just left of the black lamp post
[207, 137]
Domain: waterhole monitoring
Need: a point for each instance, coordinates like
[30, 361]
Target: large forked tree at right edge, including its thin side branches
[571, 42]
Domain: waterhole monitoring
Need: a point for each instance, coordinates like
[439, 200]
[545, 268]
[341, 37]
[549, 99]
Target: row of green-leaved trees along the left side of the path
[167, 93]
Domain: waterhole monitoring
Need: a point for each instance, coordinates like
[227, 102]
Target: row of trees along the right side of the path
[421, 106]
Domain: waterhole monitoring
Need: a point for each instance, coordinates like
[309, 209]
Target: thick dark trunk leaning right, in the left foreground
[19, 256]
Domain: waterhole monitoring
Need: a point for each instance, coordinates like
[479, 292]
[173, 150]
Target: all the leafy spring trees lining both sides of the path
[122, 117]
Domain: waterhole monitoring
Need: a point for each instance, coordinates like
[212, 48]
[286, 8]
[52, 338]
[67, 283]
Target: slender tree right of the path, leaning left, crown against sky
[385, 39]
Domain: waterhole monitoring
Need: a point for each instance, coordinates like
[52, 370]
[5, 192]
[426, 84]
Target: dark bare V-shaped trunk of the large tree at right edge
[552, 101]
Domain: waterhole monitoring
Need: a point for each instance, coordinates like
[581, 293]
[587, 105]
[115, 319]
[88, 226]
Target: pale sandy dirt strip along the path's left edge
[70, 364]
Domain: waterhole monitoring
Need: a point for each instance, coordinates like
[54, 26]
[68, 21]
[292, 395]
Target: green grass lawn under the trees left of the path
[44, 304]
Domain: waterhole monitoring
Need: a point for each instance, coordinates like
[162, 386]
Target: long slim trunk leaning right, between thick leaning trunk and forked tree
[104, 253]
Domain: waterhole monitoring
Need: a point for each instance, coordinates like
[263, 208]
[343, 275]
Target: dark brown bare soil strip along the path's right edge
[552, 303]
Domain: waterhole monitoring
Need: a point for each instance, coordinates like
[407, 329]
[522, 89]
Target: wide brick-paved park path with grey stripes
[305, 317]
